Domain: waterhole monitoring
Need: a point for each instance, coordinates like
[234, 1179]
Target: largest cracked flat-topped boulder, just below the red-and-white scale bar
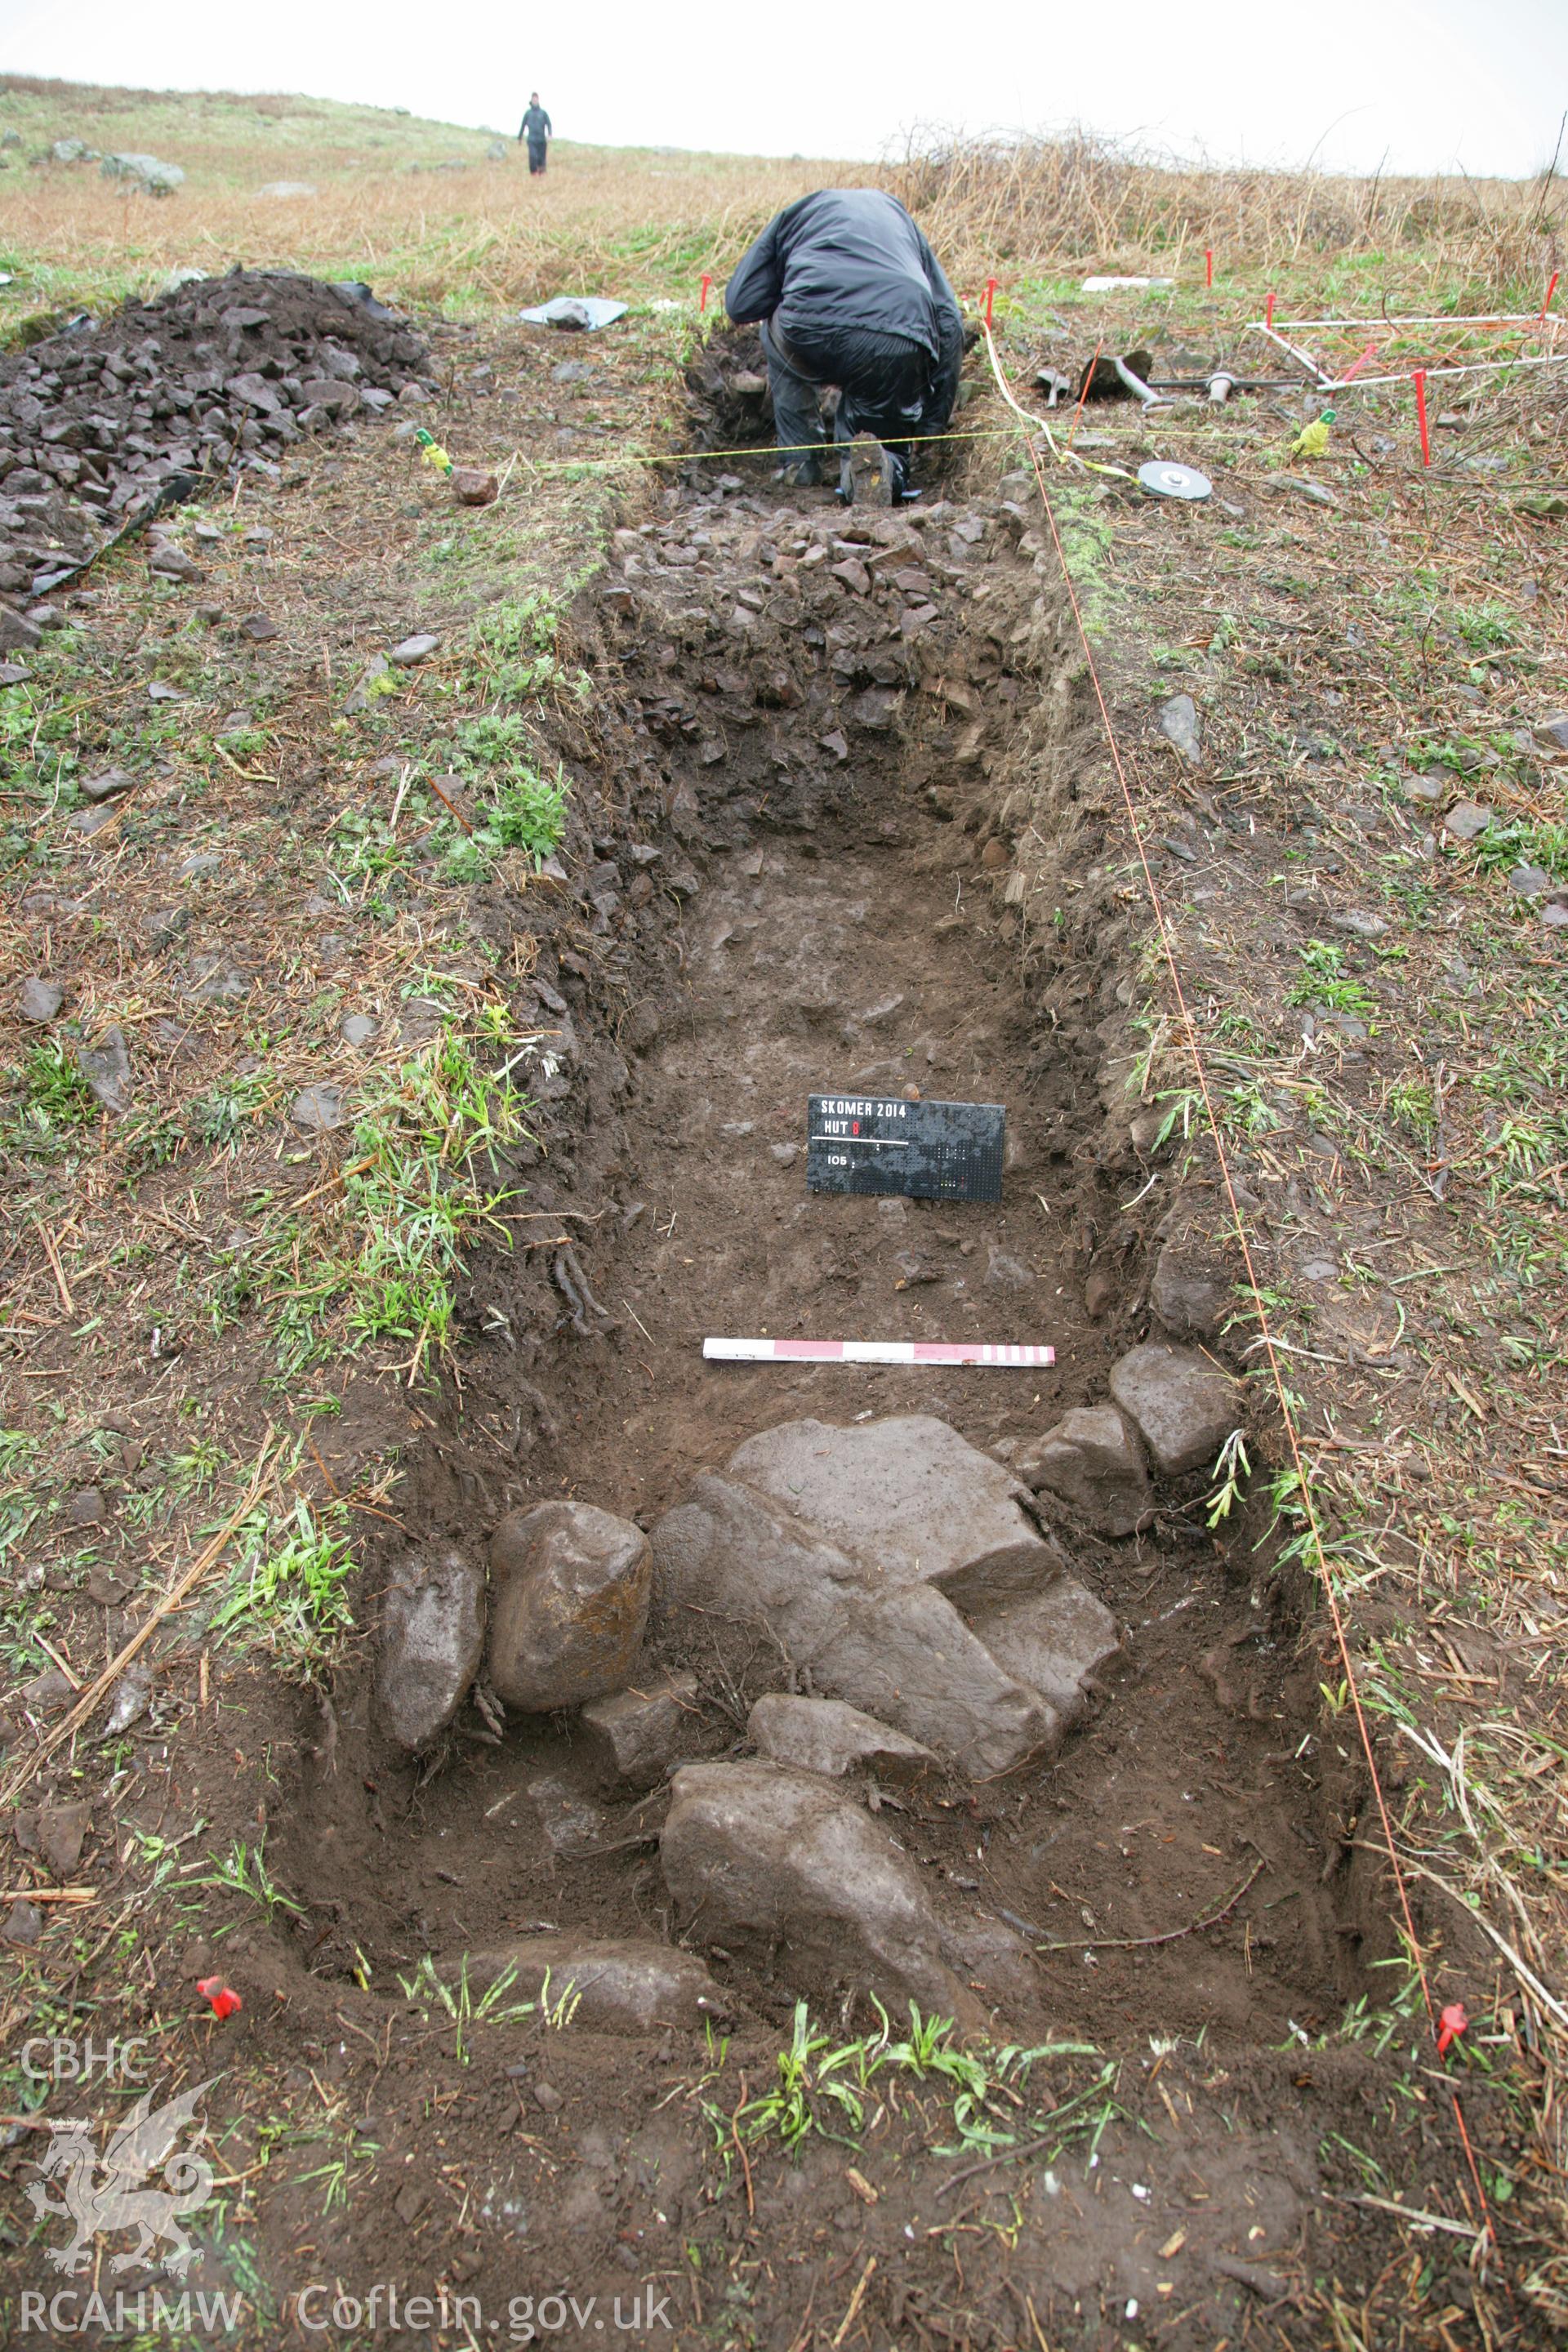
[894, 1568]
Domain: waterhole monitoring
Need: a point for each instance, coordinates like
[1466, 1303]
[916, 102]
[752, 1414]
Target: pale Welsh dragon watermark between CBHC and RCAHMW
[107, 2191]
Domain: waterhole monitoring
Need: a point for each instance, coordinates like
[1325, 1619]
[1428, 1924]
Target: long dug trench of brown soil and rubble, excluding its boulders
[833, 747]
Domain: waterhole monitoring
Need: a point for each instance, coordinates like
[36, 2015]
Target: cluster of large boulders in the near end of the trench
[890, 1605]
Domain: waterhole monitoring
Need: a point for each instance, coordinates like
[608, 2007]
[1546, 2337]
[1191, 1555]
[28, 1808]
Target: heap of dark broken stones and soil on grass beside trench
[220, 375]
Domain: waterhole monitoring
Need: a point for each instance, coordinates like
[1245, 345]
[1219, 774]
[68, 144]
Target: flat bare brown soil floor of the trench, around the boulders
[824, 965]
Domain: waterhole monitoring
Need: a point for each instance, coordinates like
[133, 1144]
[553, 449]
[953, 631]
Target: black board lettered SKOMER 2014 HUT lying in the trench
[925, 1151]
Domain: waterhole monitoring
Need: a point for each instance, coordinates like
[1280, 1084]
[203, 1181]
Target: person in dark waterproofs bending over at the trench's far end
[850, 295]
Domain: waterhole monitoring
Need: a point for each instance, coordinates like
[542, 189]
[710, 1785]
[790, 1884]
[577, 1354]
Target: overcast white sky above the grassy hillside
[1428, 83]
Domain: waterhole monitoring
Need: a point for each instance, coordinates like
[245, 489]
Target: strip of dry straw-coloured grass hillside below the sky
[424, 213]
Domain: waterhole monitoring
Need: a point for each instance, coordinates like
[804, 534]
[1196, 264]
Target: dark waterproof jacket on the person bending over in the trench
[845, 258]
